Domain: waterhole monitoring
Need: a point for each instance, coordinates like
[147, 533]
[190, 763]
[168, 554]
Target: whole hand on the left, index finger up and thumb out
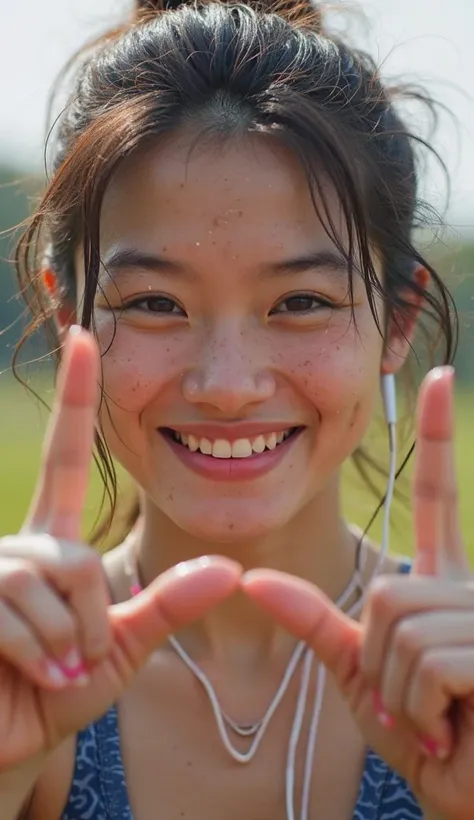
[66, 654]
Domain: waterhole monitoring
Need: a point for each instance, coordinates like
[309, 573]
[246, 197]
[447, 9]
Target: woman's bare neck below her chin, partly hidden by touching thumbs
[316, 545]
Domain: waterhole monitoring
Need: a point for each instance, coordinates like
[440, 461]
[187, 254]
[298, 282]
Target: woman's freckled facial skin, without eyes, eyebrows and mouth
[221, 222]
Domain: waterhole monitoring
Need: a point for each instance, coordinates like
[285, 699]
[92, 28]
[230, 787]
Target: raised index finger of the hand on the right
[438, 542]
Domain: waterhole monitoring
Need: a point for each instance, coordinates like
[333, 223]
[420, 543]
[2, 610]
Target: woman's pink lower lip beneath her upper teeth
[232, 469]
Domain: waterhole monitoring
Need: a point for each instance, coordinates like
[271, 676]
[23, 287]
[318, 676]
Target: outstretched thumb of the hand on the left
[175, 598]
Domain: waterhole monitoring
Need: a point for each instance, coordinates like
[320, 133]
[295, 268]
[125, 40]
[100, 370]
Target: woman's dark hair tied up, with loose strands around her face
[228, 70]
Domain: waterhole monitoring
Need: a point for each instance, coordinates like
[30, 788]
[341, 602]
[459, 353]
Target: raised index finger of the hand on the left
[62, 485]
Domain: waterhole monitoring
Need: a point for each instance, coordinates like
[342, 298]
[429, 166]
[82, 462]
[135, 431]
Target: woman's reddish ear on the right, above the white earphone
[402, 325]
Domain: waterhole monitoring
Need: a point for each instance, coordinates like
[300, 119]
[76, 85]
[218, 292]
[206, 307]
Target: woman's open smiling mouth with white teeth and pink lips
[231, 458]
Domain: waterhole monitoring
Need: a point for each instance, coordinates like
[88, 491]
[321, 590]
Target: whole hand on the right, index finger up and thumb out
[407, 670]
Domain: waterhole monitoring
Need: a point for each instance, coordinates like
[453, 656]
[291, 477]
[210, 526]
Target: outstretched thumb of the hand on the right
[305, 611]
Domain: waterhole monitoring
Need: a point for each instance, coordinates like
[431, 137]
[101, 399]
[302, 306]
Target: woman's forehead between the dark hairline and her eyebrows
[251, 190]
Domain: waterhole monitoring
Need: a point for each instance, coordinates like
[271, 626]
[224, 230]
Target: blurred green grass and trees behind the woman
[22, 418]
